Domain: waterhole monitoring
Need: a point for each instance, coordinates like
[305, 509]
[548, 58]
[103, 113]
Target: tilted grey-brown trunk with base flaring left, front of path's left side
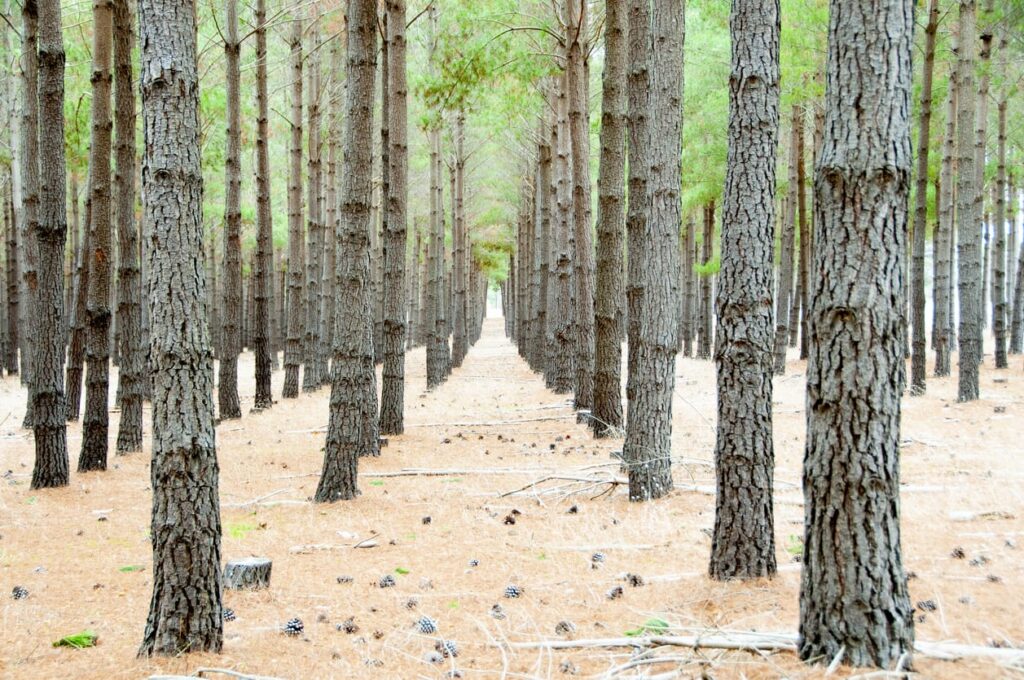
[353, 427]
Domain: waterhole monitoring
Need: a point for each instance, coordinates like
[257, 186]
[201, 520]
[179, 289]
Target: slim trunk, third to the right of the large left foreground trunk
[296, 245]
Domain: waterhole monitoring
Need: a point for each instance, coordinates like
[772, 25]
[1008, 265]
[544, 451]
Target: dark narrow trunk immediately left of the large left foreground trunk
[130, 282]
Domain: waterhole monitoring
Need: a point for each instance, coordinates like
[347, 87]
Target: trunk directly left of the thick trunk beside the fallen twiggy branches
[608, 415]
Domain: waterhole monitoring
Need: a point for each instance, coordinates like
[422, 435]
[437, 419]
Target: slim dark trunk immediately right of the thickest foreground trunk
[919, 369]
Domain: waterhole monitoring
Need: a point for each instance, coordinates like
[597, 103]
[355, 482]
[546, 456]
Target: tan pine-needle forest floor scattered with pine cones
[84, 556]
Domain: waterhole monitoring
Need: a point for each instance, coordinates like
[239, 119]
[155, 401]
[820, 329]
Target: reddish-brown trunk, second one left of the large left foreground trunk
[98, 346]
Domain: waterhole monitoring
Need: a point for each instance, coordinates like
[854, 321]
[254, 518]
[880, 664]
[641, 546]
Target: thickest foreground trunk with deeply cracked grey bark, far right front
[855, 598]
